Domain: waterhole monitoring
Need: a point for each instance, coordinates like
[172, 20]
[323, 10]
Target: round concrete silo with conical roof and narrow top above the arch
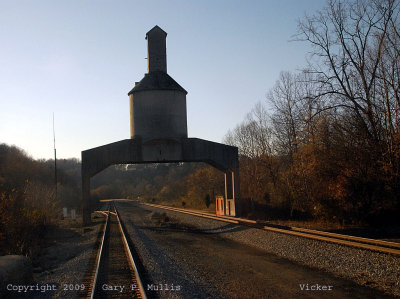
[157, 102]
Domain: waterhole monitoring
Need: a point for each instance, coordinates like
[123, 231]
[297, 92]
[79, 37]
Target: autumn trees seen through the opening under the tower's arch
[180, 184]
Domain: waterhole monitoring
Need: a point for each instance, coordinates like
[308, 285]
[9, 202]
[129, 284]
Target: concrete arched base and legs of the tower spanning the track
[132, 151]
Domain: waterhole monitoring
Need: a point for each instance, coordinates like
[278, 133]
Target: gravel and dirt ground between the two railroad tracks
[201, 258]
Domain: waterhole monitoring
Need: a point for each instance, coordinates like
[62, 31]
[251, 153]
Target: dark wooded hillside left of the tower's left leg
[28, 199]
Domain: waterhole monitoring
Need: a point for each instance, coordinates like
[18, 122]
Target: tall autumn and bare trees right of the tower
[326, 142]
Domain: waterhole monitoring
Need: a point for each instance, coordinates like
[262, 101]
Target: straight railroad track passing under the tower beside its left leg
[113, 271]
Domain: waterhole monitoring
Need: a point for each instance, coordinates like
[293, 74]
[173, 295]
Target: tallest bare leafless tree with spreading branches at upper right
[348, 38]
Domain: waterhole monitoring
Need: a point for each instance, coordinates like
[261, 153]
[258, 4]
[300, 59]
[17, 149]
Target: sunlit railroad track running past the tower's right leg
[346, 240]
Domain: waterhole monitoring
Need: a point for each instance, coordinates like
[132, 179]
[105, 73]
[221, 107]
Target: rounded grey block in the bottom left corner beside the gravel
[14, 269]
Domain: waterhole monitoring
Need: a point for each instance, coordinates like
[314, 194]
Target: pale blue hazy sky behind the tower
[79, 59]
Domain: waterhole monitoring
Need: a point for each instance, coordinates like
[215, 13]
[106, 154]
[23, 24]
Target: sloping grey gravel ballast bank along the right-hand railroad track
[374, 269]
